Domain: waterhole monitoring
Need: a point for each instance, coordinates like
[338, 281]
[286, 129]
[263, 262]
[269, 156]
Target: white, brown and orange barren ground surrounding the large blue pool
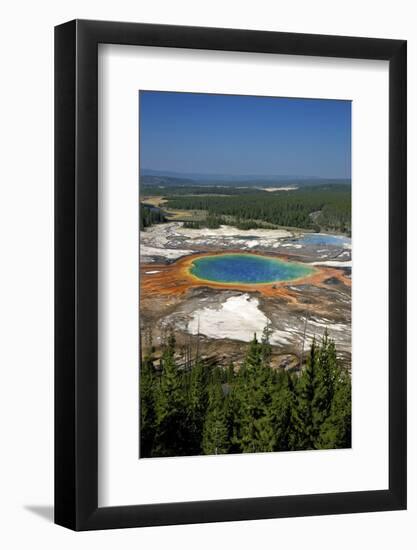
[219, 321]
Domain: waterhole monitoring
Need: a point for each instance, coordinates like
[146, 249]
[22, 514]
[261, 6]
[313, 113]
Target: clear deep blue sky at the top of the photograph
[245, 135]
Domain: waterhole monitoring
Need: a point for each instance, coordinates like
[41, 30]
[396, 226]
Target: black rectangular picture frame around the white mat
[76, 272]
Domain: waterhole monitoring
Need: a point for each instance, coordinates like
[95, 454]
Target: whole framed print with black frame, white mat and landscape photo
[230, 275]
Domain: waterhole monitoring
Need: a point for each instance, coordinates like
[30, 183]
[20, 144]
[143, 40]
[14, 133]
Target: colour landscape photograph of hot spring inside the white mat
[245, 274]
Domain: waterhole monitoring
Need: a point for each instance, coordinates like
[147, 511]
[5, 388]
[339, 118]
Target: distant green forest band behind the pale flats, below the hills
[284, 208]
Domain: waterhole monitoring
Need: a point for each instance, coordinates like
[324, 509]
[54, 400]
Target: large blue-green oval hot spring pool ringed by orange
[247, 269]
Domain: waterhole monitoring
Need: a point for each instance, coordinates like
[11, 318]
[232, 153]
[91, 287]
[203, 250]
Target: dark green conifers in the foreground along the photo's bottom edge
[194, 409]
